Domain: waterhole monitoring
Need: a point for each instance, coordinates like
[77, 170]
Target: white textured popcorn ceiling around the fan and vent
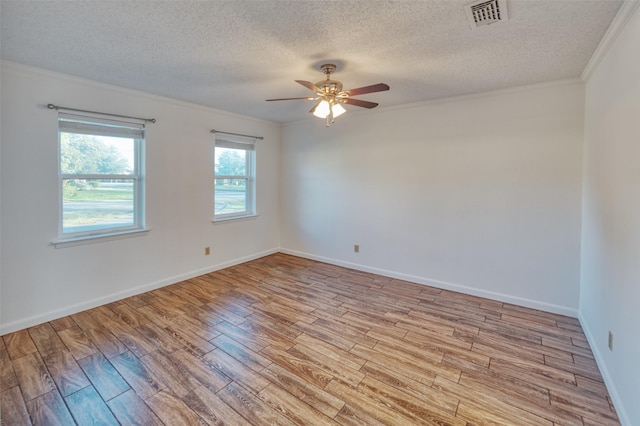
[233, 55]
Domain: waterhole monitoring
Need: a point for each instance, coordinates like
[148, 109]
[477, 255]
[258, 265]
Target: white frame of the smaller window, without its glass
[246, 144]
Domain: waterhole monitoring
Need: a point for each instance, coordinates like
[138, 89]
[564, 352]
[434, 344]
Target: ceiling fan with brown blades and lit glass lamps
[330, 95]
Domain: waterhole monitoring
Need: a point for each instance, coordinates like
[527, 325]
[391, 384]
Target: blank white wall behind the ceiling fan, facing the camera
[480, 194]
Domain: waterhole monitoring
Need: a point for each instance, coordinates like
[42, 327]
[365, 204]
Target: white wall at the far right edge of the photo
[610, 288]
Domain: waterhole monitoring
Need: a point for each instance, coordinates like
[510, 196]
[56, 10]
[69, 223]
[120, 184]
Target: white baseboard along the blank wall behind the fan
[520, 301]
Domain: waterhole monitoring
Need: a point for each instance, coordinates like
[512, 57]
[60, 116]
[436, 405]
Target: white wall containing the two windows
[40, 282]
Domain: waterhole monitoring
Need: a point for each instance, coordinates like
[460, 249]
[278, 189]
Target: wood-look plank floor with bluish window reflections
[284, 340]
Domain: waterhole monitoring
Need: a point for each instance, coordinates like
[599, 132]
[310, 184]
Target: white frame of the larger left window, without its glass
[99, 125]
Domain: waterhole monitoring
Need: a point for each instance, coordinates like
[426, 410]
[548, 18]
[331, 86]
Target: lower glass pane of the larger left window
[96, 204]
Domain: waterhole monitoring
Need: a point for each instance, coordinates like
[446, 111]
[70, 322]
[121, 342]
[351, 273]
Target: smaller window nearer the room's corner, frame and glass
[234, 178]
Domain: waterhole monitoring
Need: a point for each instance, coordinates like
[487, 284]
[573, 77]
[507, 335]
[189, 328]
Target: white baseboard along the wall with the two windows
[90, 304]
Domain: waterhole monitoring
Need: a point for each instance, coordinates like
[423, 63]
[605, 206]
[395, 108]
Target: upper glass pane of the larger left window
[91, 154]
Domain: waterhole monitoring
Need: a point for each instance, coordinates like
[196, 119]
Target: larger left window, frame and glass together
[101, 176]
